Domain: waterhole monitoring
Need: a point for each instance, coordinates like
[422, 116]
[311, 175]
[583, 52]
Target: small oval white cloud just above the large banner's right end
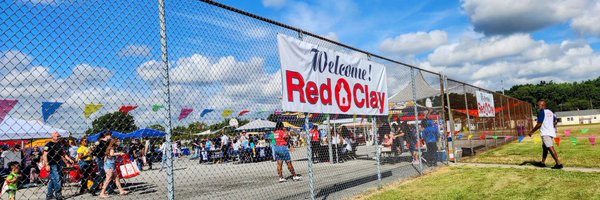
[414, 43]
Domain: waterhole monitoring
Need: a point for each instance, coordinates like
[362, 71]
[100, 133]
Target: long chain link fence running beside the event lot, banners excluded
[182, 100]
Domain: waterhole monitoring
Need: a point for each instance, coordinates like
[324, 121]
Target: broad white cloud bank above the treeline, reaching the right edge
[516, 59]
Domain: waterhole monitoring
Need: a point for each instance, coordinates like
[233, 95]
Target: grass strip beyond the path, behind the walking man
[583, 154]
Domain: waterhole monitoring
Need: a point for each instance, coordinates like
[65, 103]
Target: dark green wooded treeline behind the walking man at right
[560, 96]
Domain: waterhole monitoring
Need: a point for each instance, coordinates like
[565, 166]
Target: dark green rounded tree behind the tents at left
[116, 121]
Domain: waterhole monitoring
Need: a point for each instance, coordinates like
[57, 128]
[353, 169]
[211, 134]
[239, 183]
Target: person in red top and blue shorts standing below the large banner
[282, 152]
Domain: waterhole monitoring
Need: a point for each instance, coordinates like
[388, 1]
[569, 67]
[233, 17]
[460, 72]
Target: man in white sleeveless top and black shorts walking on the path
[547, 126]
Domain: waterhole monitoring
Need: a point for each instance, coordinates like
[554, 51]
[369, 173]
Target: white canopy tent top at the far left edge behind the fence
[15, 129]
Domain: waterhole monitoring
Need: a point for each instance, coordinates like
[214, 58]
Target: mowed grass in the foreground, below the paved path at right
[493, 183]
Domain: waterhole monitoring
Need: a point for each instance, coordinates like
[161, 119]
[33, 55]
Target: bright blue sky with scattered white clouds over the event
[81, 52]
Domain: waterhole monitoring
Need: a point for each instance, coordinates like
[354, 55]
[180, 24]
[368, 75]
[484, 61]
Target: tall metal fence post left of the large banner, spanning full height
[165, 60]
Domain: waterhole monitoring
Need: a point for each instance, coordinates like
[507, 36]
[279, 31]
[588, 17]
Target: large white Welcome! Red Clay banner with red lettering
[320, 80]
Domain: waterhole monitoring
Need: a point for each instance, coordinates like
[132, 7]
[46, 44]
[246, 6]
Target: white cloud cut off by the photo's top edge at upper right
[520, 16]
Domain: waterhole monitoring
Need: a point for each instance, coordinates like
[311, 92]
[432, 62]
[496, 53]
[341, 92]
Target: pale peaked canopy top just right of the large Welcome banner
[424, 90]
